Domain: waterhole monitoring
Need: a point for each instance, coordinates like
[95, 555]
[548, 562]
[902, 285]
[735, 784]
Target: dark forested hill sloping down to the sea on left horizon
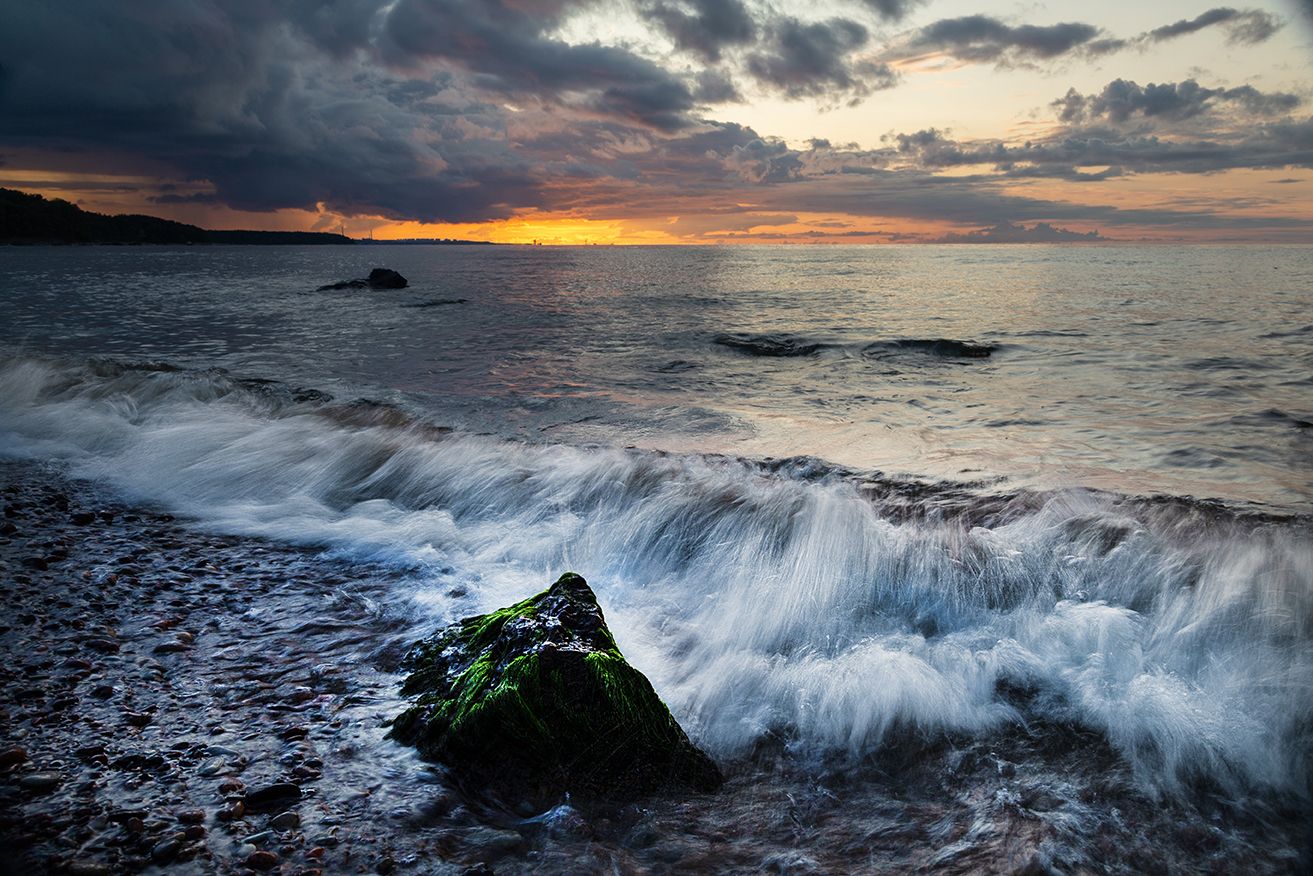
[31, 219]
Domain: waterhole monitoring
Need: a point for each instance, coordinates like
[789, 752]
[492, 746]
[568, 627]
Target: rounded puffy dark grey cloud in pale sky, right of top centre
[817, 60]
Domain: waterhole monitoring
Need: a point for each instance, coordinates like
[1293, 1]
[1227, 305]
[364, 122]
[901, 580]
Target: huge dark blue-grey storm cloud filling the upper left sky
[293, 104]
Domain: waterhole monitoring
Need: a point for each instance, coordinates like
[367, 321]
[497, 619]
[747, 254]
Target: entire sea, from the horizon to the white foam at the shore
[827, 496]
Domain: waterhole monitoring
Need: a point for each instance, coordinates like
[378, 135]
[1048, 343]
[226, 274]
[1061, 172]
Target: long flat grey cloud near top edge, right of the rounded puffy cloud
[984, 39]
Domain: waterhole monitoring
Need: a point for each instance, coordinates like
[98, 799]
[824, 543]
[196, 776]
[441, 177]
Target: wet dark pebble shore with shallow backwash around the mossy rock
[199, 703]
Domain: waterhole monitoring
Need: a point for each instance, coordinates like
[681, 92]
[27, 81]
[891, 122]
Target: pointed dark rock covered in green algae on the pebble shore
[538, 698]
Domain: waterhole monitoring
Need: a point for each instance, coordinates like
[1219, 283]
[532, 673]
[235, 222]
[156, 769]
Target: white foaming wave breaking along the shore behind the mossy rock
[795, 601]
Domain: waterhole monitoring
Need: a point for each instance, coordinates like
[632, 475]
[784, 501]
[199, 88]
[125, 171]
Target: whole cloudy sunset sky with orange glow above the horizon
[672, 121]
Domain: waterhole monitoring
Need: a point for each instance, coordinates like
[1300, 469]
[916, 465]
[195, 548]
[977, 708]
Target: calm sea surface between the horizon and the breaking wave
[1184, 371]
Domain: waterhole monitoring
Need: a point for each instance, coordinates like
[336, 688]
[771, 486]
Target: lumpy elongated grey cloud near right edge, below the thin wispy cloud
[1122, 99]
